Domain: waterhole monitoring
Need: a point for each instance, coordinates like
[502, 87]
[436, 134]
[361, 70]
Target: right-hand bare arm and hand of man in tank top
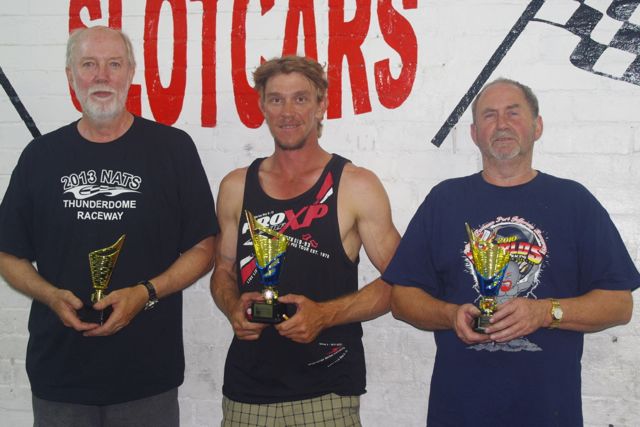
[365, 209]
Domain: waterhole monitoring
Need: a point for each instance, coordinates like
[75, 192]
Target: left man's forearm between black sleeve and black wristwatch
[188, 268]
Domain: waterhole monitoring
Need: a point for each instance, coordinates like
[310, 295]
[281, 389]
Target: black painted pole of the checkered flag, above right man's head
[531, 10]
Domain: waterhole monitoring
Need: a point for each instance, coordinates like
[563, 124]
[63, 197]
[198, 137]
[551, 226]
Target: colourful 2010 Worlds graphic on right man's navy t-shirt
[528, 250]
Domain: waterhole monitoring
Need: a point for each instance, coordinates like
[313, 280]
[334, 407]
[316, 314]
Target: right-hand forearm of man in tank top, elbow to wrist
[371, 301]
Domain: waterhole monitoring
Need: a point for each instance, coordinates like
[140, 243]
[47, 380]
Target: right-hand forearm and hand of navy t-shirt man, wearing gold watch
[594, 311]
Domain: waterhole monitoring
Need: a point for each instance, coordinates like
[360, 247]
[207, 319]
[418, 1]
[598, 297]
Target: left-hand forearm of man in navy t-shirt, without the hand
[416, 307]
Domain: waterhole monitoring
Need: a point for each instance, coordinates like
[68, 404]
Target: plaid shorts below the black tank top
[329, 410]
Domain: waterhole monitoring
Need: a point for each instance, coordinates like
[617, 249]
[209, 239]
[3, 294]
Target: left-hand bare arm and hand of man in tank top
[224, 288]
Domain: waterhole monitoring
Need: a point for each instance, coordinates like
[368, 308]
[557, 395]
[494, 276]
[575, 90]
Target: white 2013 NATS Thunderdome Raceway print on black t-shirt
[99, 195]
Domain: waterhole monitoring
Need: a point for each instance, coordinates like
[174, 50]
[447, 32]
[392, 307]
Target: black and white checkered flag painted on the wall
[609, 43]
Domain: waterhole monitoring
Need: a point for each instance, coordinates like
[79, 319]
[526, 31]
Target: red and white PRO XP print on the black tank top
[291, 220]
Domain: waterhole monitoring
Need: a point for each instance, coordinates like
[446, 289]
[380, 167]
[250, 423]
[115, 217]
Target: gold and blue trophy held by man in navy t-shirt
[489, 263]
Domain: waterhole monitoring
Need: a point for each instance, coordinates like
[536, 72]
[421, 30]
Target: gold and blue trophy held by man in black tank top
[270, 247]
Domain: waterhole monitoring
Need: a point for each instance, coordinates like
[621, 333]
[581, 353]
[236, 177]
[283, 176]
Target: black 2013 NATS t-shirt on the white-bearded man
[68, 197]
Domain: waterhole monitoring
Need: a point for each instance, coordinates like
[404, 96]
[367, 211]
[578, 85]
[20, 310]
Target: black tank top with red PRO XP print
[273, 368]
